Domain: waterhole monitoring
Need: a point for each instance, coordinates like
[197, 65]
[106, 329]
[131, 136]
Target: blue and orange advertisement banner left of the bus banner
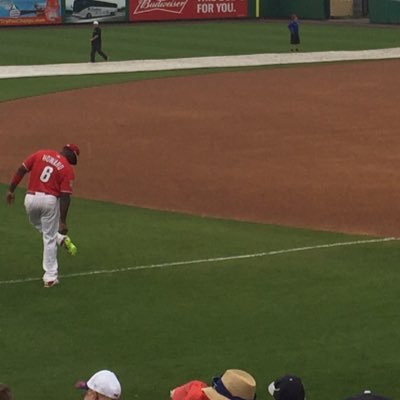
[30, 12]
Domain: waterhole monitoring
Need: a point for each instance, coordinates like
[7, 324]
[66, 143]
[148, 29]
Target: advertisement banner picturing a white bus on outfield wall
[84, 11]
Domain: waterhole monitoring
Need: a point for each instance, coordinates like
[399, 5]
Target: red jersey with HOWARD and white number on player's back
[50, 173]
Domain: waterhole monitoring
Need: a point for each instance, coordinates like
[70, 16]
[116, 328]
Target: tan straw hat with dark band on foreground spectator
[234, 384]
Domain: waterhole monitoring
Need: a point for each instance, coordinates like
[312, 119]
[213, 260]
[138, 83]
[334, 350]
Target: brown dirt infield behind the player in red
[311, 146]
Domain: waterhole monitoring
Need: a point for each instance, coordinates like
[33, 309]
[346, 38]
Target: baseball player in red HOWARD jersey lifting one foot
[47, 201]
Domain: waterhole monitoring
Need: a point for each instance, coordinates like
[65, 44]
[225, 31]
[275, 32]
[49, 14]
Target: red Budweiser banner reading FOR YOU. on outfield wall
[157, 10]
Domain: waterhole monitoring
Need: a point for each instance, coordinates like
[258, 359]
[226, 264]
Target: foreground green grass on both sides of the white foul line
[329, 315]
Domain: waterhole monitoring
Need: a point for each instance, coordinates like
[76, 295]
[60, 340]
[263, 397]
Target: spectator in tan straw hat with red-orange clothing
[234, 384]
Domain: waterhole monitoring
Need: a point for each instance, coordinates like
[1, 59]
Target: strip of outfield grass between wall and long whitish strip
[66, 44]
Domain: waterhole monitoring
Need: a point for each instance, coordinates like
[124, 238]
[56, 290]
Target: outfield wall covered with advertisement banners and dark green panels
[50, 12]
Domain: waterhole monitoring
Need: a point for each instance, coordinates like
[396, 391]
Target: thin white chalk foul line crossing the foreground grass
[209, 260]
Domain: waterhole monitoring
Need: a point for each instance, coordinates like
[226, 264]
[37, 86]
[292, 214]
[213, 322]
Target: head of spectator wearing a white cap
[103, 385]
